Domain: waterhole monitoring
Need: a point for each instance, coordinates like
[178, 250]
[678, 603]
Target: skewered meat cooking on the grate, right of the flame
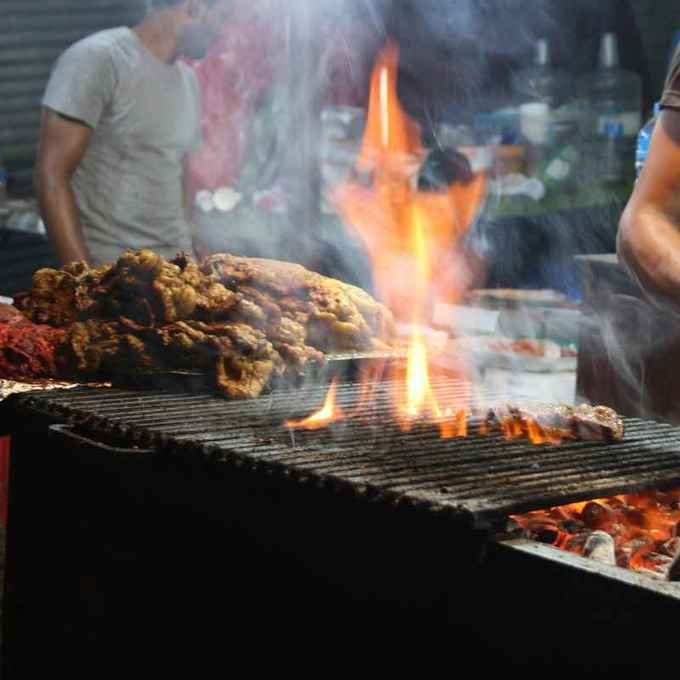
[557, 422]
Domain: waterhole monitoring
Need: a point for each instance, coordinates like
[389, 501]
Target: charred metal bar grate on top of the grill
[483, 478]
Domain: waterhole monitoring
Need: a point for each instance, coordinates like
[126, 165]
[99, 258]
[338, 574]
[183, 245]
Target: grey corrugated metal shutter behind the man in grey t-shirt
[32, 35]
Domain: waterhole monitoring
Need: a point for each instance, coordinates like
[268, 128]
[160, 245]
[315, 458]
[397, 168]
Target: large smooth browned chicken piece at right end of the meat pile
[338, 317]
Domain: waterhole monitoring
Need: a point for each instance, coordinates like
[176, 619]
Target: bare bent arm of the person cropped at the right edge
[649, 233]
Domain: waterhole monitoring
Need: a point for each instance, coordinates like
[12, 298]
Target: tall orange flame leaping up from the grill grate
[411, 237]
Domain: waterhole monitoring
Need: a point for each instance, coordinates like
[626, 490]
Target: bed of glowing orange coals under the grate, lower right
[644, 528]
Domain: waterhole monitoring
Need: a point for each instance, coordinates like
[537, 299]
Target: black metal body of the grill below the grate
[314, 568]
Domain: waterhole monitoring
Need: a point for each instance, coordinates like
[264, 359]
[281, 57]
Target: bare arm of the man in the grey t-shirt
[63, 143]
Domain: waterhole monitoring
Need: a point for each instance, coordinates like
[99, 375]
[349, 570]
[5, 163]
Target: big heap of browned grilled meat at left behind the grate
[245, 321]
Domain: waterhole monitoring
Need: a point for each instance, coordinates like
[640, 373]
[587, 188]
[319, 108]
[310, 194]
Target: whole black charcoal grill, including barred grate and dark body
[358, 520]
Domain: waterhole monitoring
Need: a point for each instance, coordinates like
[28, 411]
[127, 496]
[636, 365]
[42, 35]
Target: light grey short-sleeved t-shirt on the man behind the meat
[146, 118]
